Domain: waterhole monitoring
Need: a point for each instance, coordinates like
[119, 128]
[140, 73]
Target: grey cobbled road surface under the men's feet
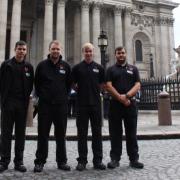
[161, 159]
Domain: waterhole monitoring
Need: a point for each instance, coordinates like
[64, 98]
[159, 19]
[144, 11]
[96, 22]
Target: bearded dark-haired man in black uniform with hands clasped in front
[123, 82]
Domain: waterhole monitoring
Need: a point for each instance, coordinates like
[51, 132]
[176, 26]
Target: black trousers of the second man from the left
[48, 114]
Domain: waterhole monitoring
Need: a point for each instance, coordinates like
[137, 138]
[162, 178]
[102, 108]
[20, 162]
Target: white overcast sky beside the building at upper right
[177, 24]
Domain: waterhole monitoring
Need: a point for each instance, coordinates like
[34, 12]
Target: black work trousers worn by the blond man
[84, 114]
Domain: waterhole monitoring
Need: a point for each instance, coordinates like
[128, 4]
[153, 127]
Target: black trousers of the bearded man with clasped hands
[117, 114]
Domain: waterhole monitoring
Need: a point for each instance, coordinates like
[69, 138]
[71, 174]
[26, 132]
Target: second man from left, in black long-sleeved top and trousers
[52, 85]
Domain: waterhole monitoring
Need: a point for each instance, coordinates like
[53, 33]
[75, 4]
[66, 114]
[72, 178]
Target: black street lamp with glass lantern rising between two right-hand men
[103, 44]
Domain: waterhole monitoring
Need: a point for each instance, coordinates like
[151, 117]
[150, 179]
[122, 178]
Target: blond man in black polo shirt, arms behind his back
[88, 76]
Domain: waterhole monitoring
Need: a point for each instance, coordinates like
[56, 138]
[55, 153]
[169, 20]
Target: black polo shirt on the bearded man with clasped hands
[123, 78]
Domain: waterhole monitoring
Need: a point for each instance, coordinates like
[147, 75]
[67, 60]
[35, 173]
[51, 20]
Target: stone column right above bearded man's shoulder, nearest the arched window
[127, 30]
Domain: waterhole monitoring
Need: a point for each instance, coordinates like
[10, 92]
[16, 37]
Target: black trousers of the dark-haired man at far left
[13, 113]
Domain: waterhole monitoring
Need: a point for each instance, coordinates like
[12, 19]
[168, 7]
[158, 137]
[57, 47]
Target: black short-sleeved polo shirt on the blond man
[88, 78]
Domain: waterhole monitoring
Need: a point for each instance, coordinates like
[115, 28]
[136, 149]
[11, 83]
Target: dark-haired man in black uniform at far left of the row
[16, 83]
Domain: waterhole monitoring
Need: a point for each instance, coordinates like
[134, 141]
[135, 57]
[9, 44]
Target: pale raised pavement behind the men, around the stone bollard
[147, 126]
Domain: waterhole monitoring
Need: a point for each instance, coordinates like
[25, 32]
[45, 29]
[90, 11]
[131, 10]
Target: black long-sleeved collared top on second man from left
[52, 81]
